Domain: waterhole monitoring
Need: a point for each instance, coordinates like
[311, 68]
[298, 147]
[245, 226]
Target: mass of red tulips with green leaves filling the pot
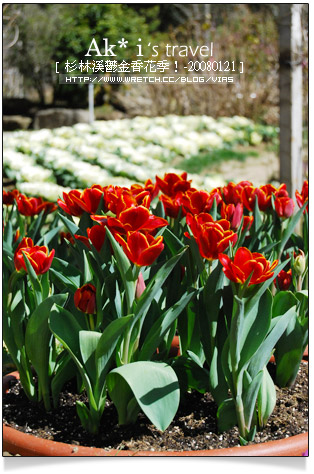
[106, 277]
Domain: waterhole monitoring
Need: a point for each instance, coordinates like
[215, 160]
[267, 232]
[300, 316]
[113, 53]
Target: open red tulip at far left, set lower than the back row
[37, 255]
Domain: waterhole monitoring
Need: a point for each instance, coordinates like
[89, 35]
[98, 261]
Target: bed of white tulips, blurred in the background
[119, 152]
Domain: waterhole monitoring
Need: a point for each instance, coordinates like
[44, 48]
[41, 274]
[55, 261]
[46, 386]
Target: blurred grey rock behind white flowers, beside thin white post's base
[54, 118]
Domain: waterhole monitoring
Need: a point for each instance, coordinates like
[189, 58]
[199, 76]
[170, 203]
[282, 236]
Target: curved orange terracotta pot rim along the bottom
[17, 442]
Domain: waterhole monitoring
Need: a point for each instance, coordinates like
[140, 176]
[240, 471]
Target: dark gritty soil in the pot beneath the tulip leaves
[193, 428]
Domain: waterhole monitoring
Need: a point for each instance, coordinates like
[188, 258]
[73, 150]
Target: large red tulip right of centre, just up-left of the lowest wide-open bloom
[212, 237]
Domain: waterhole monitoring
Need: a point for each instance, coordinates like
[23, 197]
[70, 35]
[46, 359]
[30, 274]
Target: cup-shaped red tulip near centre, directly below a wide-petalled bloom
[141, 249]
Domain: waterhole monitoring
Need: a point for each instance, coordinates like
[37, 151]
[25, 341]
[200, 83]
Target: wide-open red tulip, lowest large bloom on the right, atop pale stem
[247, 265]
